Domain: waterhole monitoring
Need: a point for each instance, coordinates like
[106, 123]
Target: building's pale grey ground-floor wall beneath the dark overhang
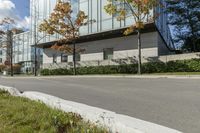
[123, 47]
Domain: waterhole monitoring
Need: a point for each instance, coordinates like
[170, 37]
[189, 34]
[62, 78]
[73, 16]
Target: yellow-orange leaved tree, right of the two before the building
[140, 10]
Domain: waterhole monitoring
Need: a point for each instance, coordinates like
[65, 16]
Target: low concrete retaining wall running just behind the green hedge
[130, 60]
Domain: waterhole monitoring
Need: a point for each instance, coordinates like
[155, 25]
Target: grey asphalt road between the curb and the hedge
[174, 103]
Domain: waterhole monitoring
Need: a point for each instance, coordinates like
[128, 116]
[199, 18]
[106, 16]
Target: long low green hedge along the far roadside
[192, 65]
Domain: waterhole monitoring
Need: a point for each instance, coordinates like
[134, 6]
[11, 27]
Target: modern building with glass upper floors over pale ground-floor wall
[102, 38]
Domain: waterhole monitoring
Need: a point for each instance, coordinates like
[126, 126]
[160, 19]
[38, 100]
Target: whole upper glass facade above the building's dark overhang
[98, 19]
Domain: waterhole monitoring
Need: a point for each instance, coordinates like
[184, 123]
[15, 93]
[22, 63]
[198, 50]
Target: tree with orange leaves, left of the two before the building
[63, 22]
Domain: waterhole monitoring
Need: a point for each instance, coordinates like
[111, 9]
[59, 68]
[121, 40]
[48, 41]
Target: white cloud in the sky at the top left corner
[8, 9]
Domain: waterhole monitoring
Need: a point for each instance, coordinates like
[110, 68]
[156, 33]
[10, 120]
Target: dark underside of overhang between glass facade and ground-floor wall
[150, 27]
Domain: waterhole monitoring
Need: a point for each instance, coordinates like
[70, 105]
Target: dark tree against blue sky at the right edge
[184, 15]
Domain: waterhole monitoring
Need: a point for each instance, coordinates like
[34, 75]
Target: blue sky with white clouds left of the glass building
[17, 10]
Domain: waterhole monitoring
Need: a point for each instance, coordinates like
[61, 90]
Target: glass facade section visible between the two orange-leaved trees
[99, 20]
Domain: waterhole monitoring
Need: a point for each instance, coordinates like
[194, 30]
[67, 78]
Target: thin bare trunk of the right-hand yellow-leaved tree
[139, 52]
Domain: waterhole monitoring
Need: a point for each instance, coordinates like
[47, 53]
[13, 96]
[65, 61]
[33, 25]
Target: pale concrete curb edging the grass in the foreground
[114, 122]
